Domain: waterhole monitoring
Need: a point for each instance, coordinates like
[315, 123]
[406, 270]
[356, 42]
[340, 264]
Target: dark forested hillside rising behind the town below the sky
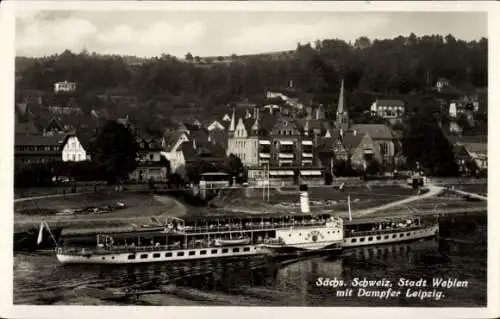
[391, 67]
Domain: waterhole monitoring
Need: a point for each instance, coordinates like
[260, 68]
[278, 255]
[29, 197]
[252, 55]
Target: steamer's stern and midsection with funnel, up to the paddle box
[175, 239]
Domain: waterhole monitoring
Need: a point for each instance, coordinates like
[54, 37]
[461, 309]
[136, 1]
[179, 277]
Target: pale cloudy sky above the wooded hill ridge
[213, 33]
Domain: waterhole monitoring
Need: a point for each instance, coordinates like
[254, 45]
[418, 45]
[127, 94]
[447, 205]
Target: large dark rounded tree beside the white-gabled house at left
[115, 150]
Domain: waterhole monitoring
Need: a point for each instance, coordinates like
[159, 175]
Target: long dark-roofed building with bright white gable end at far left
[30, 149]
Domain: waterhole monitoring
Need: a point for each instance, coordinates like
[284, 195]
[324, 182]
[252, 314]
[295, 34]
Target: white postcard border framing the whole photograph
[7, 53]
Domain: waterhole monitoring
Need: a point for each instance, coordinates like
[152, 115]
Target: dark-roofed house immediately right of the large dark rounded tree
[151, 164]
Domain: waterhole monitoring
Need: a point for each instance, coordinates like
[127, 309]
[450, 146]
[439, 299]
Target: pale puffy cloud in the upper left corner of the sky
[36, 34]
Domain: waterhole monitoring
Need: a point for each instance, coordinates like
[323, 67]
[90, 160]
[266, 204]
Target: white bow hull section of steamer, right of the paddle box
[389, 238]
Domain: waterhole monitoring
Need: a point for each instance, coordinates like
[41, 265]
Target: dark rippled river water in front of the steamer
[459, 253]
